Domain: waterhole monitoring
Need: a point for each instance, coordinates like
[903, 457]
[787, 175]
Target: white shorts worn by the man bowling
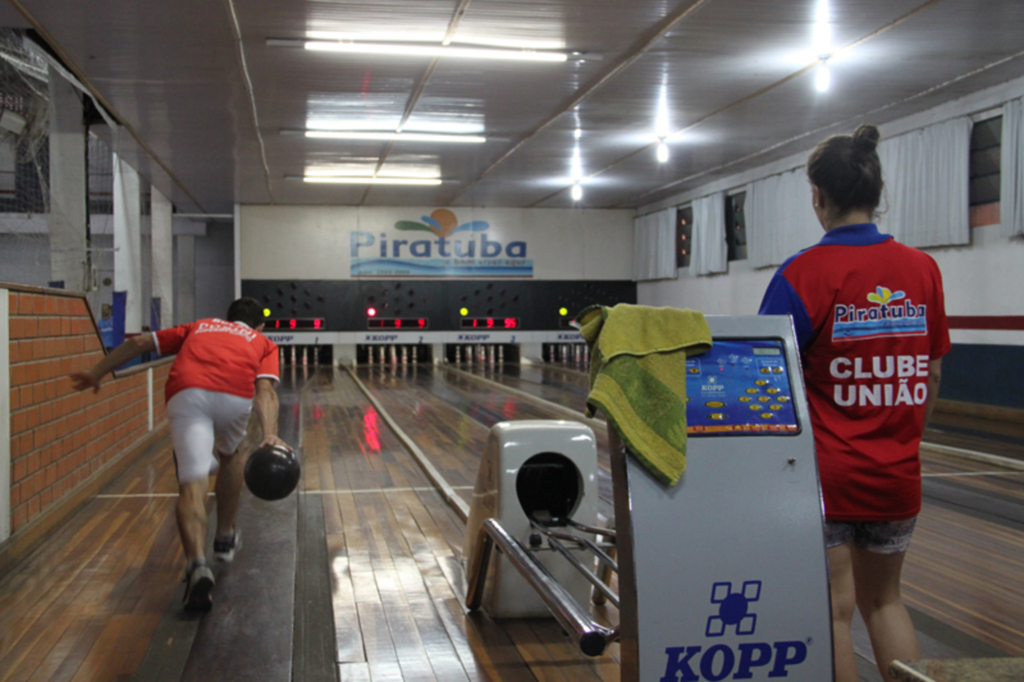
[202, 420]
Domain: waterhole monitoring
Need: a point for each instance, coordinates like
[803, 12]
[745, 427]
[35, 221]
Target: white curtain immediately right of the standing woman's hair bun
[927, 185]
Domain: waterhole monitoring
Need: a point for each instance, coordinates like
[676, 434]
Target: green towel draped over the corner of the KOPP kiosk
[638, 378]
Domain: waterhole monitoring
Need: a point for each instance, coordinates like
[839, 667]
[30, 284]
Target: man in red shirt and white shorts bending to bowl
[223, 369]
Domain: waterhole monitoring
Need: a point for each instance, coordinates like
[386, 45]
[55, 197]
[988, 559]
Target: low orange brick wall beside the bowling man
[60, 438]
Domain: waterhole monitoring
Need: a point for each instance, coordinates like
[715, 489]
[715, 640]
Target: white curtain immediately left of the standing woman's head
[781, 221]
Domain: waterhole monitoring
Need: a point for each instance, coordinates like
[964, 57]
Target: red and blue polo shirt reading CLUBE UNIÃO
[870, 316]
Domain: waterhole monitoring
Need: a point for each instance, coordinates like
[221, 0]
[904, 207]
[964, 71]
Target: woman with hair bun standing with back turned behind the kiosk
[871, 323]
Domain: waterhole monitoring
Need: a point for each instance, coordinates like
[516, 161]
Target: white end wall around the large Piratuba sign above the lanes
[314, 243]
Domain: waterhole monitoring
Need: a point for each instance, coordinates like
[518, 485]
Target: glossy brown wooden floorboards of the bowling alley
[100, 601]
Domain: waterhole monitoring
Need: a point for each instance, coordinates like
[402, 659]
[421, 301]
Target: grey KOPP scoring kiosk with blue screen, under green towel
[724, 576]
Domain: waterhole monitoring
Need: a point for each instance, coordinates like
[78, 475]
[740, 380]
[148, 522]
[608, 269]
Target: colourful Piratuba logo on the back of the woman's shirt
[893, 314]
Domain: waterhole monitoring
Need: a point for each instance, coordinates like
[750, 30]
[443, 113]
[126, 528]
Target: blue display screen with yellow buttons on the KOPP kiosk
[741, 388]
